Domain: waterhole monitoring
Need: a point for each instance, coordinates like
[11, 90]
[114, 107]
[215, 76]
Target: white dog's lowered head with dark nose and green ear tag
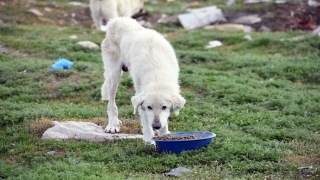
[157, 108]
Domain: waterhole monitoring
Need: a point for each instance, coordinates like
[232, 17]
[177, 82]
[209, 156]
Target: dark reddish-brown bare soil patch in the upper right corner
[282, 17]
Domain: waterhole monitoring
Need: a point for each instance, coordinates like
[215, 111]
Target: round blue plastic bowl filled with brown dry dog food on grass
[176, 146]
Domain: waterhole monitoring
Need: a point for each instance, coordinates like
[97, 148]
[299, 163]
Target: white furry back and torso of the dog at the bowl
[146, 53]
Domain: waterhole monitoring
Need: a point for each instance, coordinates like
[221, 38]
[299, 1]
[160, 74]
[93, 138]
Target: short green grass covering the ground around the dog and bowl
[260, 97]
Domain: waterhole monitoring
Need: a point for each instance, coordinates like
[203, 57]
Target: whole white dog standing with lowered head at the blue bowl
[153, 66]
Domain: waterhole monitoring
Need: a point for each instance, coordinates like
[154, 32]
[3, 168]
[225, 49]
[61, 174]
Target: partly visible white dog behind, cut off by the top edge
[108, 9]
